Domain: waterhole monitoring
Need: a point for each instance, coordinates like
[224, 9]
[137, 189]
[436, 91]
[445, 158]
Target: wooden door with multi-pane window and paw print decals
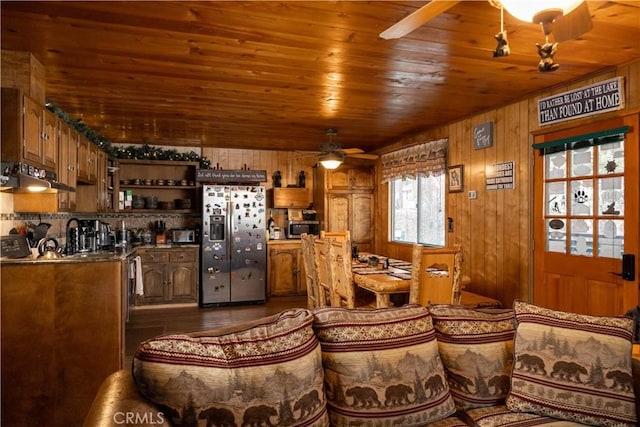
[586, 207]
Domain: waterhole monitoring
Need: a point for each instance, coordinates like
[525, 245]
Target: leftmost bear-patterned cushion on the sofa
[267, 372]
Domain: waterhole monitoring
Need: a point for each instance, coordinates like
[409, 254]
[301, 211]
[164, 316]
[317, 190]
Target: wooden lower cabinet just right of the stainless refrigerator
[285, 268]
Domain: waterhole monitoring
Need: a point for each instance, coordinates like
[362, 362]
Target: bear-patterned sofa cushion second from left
[382, 367]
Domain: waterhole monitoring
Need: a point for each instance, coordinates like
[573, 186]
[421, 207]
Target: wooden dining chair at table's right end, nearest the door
[435, 275]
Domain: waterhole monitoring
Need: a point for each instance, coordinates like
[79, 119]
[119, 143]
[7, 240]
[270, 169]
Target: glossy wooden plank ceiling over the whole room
[275, 75]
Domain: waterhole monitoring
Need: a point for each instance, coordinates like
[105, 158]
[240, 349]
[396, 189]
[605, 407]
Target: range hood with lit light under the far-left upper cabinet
[22, 177]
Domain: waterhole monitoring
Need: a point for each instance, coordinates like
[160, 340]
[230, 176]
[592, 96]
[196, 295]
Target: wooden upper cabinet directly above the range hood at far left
[29, 131]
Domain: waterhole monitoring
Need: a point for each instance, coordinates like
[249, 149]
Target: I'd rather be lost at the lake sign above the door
[607, 95]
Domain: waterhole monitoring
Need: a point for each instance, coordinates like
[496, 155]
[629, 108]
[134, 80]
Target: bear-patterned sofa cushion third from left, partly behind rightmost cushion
[476, 346]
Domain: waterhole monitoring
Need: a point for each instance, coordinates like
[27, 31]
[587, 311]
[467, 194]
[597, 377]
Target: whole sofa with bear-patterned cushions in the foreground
[444, 366]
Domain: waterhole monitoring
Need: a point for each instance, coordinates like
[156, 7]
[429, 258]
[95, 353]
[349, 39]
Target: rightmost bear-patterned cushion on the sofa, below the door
[572, 367]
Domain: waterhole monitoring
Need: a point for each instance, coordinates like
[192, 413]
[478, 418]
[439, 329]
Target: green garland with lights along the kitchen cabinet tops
[138, 152]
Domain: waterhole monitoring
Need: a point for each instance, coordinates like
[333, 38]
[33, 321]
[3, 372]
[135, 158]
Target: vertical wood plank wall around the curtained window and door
[495, 230]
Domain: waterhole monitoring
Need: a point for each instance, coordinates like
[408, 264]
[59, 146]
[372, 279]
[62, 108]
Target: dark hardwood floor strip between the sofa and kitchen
[147, 323]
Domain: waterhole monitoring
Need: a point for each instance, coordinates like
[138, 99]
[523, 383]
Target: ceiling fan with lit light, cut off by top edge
[568, 19]
